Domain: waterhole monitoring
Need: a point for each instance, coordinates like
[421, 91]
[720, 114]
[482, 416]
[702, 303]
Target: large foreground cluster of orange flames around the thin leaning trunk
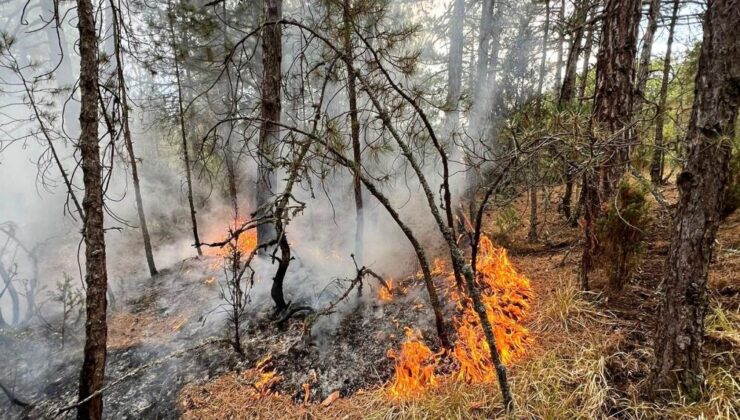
[506, 296]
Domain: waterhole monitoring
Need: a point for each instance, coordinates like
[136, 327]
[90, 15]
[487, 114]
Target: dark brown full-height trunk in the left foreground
[96, 278]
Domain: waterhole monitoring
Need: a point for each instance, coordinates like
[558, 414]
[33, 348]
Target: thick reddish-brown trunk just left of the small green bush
[611, 118]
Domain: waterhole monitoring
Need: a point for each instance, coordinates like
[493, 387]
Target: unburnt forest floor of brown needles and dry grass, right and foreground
[591, 353]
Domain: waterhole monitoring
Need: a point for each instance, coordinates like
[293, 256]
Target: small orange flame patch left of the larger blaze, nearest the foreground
[415, 366]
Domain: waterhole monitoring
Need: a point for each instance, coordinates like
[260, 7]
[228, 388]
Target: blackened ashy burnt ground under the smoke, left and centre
[152, 333]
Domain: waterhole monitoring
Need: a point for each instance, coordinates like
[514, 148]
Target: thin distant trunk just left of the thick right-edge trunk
[656, 163]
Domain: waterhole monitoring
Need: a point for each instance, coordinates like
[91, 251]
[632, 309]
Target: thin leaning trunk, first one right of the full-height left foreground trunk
[123, 92]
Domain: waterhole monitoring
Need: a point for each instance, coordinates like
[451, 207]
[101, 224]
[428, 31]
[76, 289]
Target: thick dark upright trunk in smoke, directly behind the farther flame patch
[269, 137]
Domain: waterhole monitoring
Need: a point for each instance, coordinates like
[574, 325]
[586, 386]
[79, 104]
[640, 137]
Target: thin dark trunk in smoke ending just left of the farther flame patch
[183, 132]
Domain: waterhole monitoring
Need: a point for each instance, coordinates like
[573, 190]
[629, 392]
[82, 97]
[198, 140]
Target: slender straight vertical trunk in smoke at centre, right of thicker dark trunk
[355, 128]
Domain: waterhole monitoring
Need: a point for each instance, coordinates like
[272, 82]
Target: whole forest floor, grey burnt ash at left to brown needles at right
[588, 357]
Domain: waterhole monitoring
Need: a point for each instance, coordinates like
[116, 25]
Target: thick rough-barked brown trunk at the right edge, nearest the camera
[702, 184]
